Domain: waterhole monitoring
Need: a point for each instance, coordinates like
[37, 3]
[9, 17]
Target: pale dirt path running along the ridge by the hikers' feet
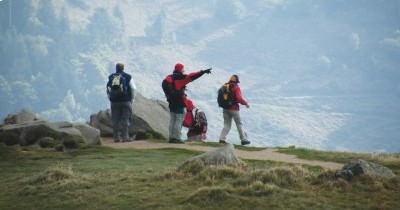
[267, 154]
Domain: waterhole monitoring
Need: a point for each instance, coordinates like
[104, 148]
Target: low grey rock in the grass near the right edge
[359, 167]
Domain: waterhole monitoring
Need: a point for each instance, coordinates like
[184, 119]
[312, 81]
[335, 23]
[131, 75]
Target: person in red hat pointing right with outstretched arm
[174, 88]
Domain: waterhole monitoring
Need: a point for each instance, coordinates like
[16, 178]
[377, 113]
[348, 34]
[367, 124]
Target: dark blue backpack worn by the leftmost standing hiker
[117, 87]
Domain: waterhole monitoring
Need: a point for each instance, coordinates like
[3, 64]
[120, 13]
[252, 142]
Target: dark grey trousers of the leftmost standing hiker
[121, 113]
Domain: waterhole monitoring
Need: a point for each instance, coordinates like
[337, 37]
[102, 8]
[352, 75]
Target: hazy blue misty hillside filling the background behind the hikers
[317, 74]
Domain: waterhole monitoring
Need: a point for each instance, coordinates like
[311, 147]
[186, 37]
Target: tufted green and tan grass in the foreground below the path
[104, 178]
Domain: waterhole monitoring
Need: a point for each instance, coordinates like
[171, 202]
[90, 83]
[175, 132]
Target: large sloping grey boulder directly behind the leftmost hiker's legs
[149, 117]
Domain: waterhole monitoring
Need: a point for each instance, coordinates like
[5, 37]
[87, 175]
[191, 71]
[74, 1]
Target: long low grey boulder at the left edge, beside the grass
[69, 134]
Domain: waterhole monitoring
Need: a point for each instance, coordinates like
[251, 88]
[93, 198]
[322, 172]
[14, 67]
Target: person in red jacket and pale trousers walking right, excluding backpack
[232, 111]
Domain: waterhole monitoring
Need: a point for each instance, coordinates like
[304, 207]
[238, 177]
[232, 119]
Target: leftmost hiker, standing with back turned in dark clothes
[121, 105]
